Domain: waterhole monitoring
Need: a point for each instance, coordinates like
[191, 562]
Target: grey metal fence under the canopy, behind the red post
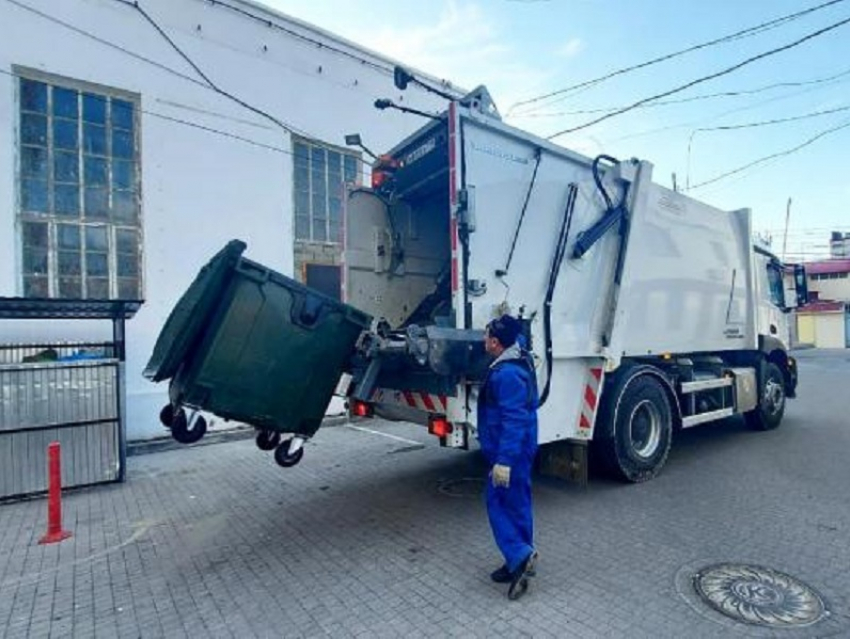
[70, 393]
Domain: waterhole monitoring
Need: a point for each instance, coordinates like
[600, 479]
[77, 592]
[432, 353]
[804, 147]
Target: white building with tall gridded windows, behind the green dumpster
[141, 137]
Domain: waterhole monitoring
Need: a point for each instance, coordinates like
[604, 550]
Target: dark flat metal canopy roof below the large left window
[42, 308]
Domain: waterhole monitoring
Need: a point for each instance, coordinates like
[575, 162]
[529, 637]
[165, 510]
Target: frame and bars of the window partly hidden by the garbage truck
[326, 194]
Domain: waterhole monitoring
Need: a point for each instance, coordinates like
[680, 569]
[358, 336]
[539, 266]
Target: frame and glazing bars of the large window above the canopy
[82, 219]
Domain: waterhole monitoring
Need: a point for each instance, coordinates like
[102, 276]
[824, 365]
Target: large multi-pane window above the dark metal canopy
[78, 189]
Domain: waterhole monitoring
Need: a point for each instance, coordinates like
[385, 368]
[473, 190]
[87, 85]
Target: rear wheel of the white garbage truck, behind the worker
[642, 422]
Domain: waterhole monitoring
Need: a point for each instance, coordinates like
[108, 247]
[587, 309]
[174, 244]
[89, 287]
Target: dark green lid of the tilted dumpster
[188, 319]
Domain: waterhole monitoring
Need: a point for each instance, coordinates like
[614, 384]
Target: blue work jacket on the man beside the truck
[507, 410]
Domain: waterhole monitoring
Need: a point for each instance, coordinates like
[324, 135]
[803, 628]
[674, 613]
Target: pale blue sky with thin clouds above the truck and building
[524, 48]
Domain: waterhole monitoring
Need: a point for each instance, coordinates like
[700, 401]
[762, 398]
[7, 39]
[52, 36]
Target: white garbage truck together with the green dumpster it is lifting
[646, 310]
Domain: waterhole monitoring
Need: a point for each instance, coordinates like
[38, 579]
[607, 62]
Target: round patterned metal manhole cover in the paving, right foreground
[759, 596]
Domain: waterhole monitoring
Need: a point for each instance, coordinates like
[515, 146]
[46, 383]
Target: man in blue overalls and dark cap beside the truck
[507, 431]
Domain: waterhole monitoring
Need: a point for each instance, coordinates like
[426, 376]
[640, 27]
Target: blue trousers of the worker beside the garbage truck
[510, 514]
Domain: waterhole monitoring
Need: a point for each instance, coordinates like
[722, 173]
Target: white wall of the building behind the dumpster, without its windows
[199, 188]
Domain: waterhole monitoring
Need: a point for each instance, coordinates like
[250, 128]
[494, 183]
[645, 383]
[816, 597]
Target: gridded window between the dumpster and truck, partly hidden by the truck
[320, 173]
